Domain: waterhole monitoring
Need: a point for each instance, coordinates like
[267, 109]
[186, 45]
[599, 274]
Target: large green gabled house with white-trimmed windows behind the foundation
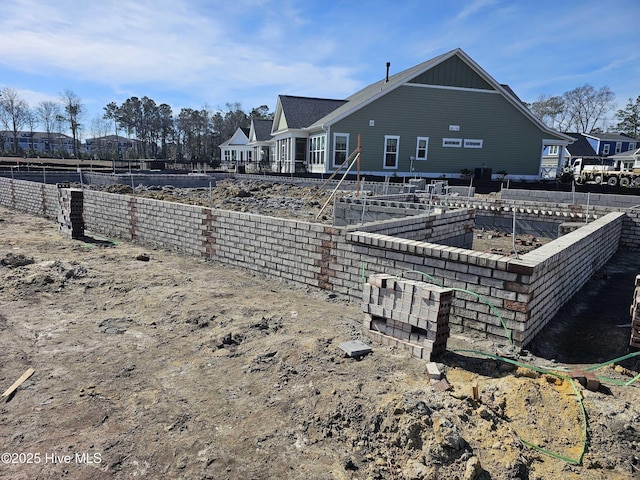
[437, 119]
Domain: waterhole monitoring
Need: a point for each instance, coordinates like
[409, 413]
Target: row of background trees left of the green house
[191, 135]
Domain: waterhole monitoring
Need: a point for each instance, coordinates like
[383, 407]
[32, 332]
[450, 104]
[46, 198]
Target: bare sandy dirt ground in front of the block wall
[153, 365]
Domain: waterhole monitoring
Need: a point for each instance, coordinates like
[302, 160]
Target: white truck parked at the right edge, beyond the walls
[614, 173]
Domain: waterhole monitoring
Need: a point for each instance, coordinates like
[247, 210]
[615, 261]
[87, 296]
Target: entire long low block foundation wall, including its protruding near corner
[525, 292]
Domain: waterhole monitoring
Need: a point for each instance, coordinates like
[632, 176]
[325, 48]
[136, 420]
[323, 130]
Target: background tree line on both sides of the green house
[193, 135]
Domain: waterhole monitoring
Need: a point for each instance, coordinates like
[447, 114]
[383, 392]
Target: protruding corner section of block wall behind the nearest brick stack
[494, 291]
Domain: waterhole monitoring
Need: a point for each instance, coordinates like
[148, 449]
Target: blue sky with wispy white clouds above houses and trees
[197, 53]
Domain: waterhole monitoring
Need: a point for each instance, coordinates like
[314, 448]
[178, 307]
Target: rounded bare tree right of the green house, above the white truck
[586, 108]
